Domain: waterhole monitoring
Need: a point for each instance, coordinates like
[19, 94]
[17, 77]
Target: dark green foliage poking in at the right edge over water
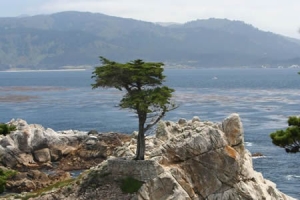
[289, 138]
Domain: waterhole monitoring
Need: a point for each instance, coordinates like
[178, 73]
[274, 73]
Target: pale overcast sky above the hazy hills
[279, 16]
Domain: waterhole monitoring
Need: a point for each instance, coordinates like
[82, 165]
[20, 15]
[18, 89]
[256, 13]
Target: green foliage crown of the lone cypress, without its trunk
[142, 82]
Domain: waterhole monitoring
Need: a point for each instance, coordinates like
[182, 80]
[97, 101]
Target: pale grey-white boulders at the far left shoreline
[32, 144]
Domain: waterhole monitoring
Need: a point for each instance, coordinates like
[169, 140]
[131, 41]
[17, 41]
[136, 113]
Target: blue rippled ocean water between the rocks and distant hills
[264, 99]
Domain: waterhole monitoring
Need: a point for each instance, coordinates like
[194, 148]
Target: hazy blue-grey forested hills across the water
[79, 38]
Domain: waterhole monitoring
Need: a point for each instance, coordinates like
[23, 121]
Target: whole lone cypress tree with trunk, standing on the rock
[145, 93]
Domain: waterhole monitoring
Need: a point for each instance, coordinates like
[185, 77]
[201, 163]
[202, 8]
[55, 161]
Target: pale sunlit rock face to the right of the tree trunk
[203, 160]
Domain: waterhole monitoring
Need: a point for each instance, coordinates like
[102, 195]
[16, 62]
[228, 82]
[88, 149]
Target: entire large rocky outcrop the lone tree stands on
[190, 159]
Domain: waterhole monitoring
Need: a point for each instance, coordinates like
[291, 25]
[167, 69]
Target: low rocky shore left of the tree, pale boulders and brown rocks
[43, 156]
